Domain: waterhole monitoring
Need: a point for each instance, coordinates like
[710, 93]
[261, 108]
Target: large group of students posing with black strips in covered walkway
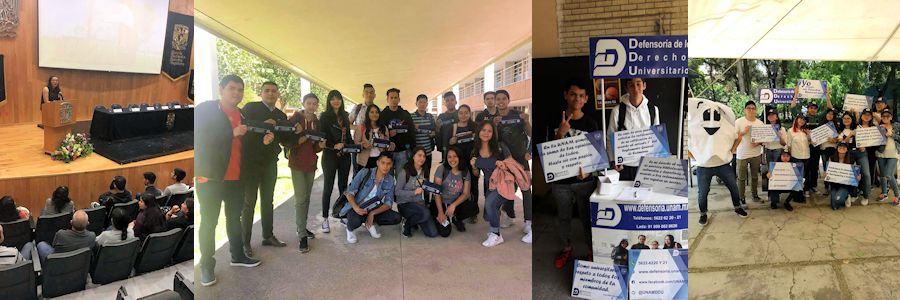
[389, 150]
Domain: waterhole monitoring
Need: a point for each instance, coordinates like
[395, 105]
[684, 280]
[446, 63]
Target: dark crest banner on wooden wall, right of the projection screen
[178, 44]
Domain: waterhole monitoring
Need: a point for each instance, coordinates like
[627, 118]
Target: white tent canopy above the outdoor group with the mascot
[808, 30]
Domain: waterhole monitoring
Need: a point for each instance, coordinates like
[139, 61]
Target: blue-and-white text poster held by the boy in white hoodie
[651, 141]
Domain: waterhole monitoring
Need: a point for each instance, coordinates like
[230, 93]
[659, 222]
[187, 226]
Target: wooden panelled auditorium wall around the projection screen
[24, 79]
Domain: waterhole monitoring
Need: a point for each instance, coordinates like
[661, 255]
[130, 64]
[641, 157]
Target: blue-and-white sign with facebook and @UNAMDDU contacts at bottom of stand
[658, 274]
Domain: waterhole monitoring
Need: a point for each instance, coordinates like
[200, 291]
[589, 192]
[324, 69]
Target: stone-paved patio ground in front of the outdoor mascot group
[810, 253]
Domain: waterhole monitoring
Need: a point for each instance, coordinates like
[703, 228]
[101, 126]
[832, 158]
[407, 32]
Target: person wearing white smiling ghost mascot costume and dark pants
[711, 135]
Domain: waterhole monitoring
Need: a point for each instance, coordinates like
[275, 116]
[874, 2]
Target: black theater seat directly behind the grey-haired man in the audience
[65, 272]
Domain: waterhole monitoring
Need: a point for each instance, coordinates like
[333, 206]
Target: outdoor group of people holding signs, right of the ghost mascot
[795, 145]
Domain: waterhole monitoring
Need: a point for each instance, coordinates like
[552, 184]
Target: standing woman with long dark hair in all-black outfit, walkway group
[335, 126]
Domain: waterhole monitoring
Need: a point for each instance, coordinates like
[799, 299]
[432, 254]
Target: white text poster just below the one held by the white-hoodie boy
[663, 175]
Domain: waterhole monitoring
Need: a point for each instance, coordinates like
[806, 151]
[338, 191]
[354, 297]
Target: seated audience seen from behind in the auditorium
[150, 219]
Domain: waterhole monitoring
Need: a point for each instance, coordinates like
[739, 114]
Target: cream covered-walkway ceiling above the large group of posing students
[420, 47]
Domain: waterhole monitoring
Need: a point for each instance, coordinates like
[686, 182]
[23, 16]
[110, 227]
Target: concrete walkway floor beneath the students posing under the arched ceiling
[392, 267]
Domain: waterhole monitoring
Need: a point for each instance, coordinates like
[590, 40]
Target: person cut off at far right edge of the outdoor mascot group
[887, 156]
